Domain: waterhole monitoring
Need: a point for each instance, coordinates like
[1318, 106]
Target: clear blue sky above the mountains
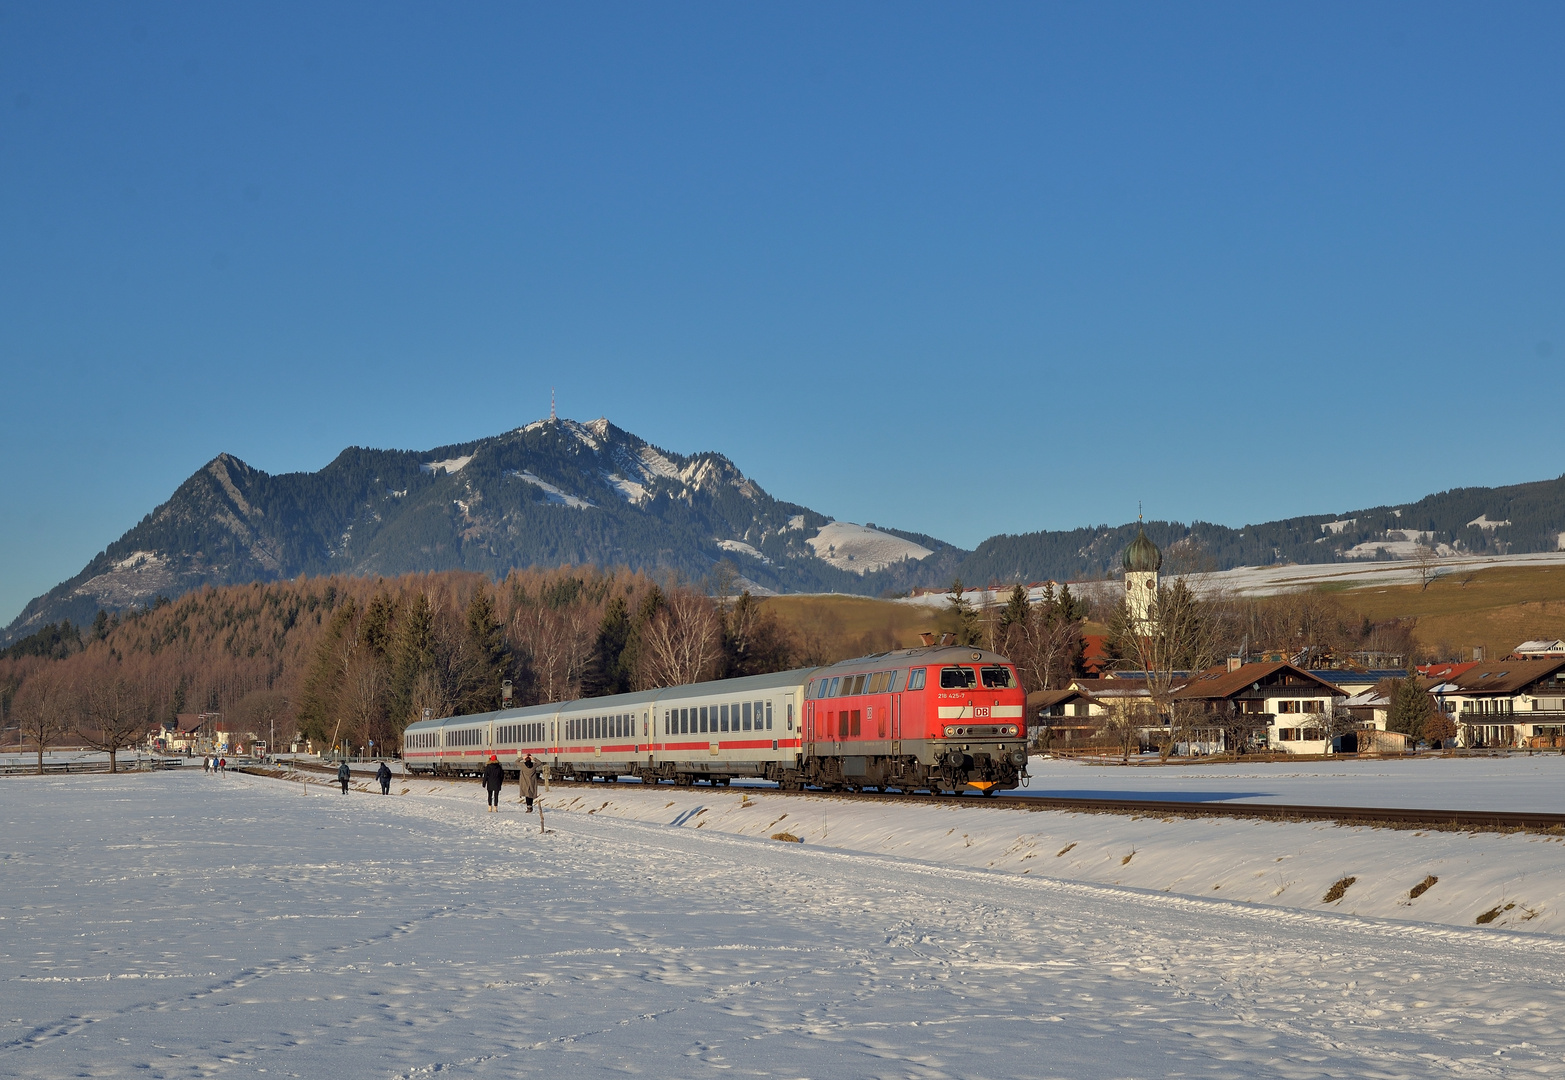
[963, 270]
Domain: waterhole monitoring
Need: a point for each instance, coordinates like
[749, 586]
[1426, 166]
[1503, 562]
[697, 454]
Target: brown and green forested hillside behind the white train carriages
[358, 658]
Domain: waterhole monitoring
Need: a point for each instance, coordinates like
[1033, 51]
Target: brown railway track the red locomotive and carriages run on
[1383, 816]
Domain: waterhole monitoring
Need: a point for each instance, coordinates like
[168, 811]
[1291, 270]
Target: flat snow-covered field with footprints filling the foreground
[187, 927]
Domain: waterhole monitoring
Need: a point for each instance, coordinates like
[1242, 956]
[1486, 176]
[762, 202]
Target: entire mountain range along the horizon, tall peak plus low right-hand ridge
[563, 492]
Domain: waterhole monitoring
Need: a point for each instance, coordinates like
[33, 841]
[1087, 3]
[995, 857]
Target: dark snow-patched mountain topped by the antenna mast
[549, 494]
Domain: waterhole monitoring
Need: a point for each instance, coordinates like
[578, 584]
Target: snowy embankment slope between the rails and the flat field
[1459, 879]
